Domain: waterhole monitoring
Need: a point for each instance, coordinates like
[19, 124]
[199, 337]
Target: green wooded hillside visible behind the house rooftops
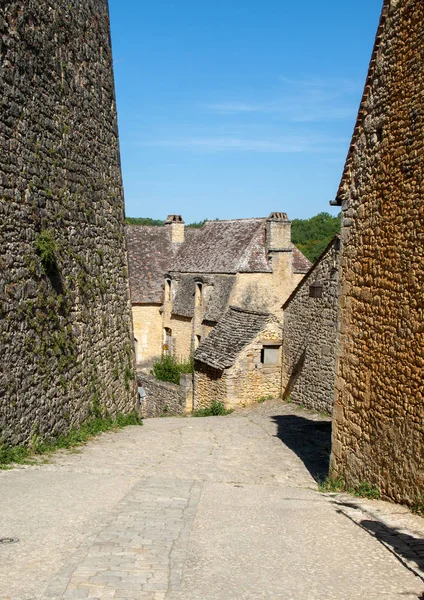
[311, 236]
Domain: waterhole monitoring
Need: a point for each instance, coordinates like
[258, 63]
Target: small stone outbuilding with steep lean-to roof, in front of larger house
[240, 361]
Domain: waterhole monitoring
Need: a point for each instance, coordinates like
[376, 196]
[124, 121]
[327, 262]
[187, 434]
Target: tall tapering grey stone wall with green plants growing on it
[65, 321]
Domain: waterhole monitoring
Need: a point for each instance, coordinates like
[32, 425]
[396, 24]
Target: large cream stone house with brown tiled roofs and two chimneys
[184, 279]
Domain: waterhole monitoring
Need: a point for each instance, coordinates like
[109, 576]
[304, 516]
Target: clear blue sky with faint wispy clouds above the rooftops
[237, 109]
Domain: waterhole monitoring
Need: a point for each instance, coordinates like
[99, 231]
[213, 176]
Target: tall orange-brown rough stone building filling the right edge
[379, 405]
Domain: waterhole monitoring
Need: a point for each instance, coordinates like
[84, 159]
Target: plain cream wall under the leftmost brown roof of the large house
[148, 331]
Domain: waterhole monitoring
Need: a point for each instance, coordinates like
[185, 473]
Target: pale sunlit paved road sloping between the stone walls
[220, 508]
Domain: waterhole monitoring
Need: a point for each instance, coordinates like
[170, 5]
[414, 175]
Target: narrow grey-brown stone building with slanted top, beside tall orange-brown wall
[310, 331]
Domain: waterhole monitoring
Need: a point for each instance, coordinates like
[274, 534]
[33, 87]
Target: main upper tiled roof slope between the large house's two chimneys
[225, 247]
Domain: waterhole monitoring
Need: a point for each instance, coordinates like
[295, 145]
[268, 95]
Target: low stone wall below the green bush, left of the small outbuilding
[165, 399]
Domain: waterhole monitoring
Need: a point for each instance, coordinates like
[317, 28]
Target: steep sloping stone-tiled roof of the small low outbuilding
[234, 331]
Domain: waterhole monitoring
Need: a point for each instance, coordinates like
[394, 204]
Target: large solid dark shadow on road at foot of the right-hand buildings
[310, 440]
